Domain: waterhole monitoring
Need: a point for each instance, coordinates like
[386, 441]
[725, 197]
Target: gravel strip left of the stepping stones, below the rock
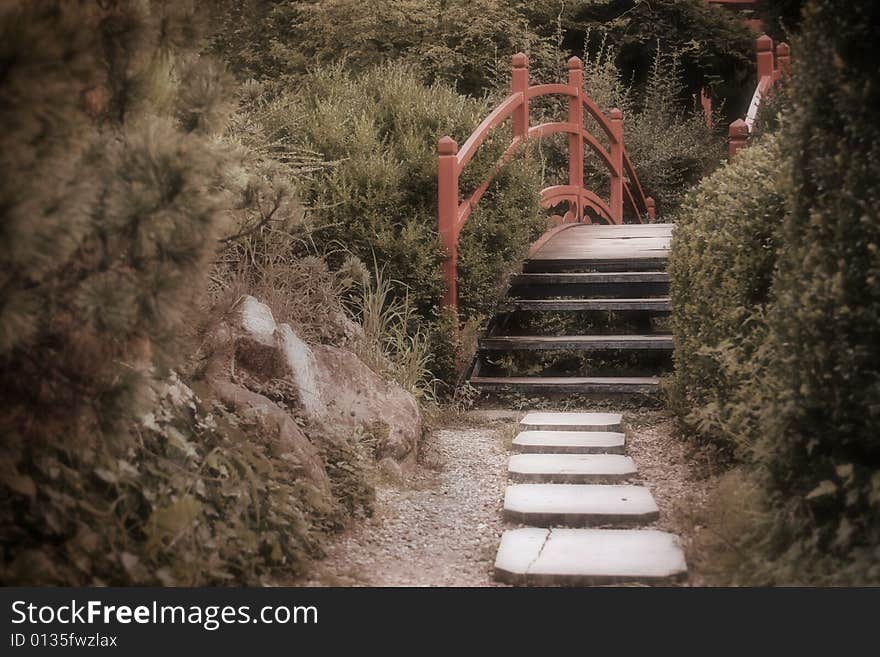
[439, 527]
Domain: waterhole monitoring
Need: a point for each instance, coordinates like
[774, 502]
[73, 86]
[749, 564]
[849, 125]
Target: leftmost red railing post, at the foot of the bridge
[447, 214]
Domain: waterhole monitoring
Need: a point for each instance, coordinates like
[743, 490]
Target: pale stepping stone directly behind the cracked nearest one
[579, 505]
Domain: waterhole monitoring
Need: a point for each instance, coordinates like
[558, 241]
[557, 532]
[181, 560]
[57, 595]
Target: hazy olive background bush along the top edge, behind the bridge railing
[453, 41]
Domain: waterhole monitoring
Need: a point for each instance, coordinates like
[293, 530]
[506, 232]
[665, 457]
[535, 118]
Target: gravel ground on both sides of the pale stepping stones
[441, 526]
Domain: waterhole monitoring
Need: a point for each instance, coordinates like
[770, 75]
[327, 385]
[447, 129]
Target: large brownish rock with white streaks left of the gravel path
[333, 386]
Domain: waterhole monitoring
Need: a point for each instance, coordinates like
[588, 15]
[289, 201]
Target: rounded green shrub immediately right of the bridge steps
[723, 256]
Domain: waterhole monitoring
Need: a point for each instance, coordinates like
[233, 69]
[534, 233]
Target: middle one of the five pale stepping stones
[570, 468]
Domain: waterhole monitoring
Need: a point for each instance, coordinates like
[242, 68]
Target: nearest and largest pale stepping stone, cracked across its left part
[580, 557]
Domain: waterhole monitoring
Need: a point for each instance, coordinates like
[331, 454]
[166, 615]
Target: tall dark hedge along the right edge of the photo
[820, 448]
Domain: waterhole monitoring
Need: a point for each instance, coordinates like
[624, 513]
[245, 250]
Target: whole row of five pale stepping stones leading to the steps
[571, 489]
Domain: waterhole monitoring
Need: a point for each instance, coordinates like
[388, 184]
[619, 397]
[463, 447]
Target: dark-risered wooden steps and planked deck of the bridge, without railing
[587, 315]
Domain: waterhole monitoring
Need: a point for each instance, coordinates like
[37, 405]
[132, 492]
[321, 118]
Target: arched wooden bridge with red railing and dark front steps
[601, 261]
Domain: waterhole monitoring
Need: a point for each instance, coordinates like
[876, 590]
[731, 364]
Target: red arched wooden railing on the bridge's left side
[625, 189]
